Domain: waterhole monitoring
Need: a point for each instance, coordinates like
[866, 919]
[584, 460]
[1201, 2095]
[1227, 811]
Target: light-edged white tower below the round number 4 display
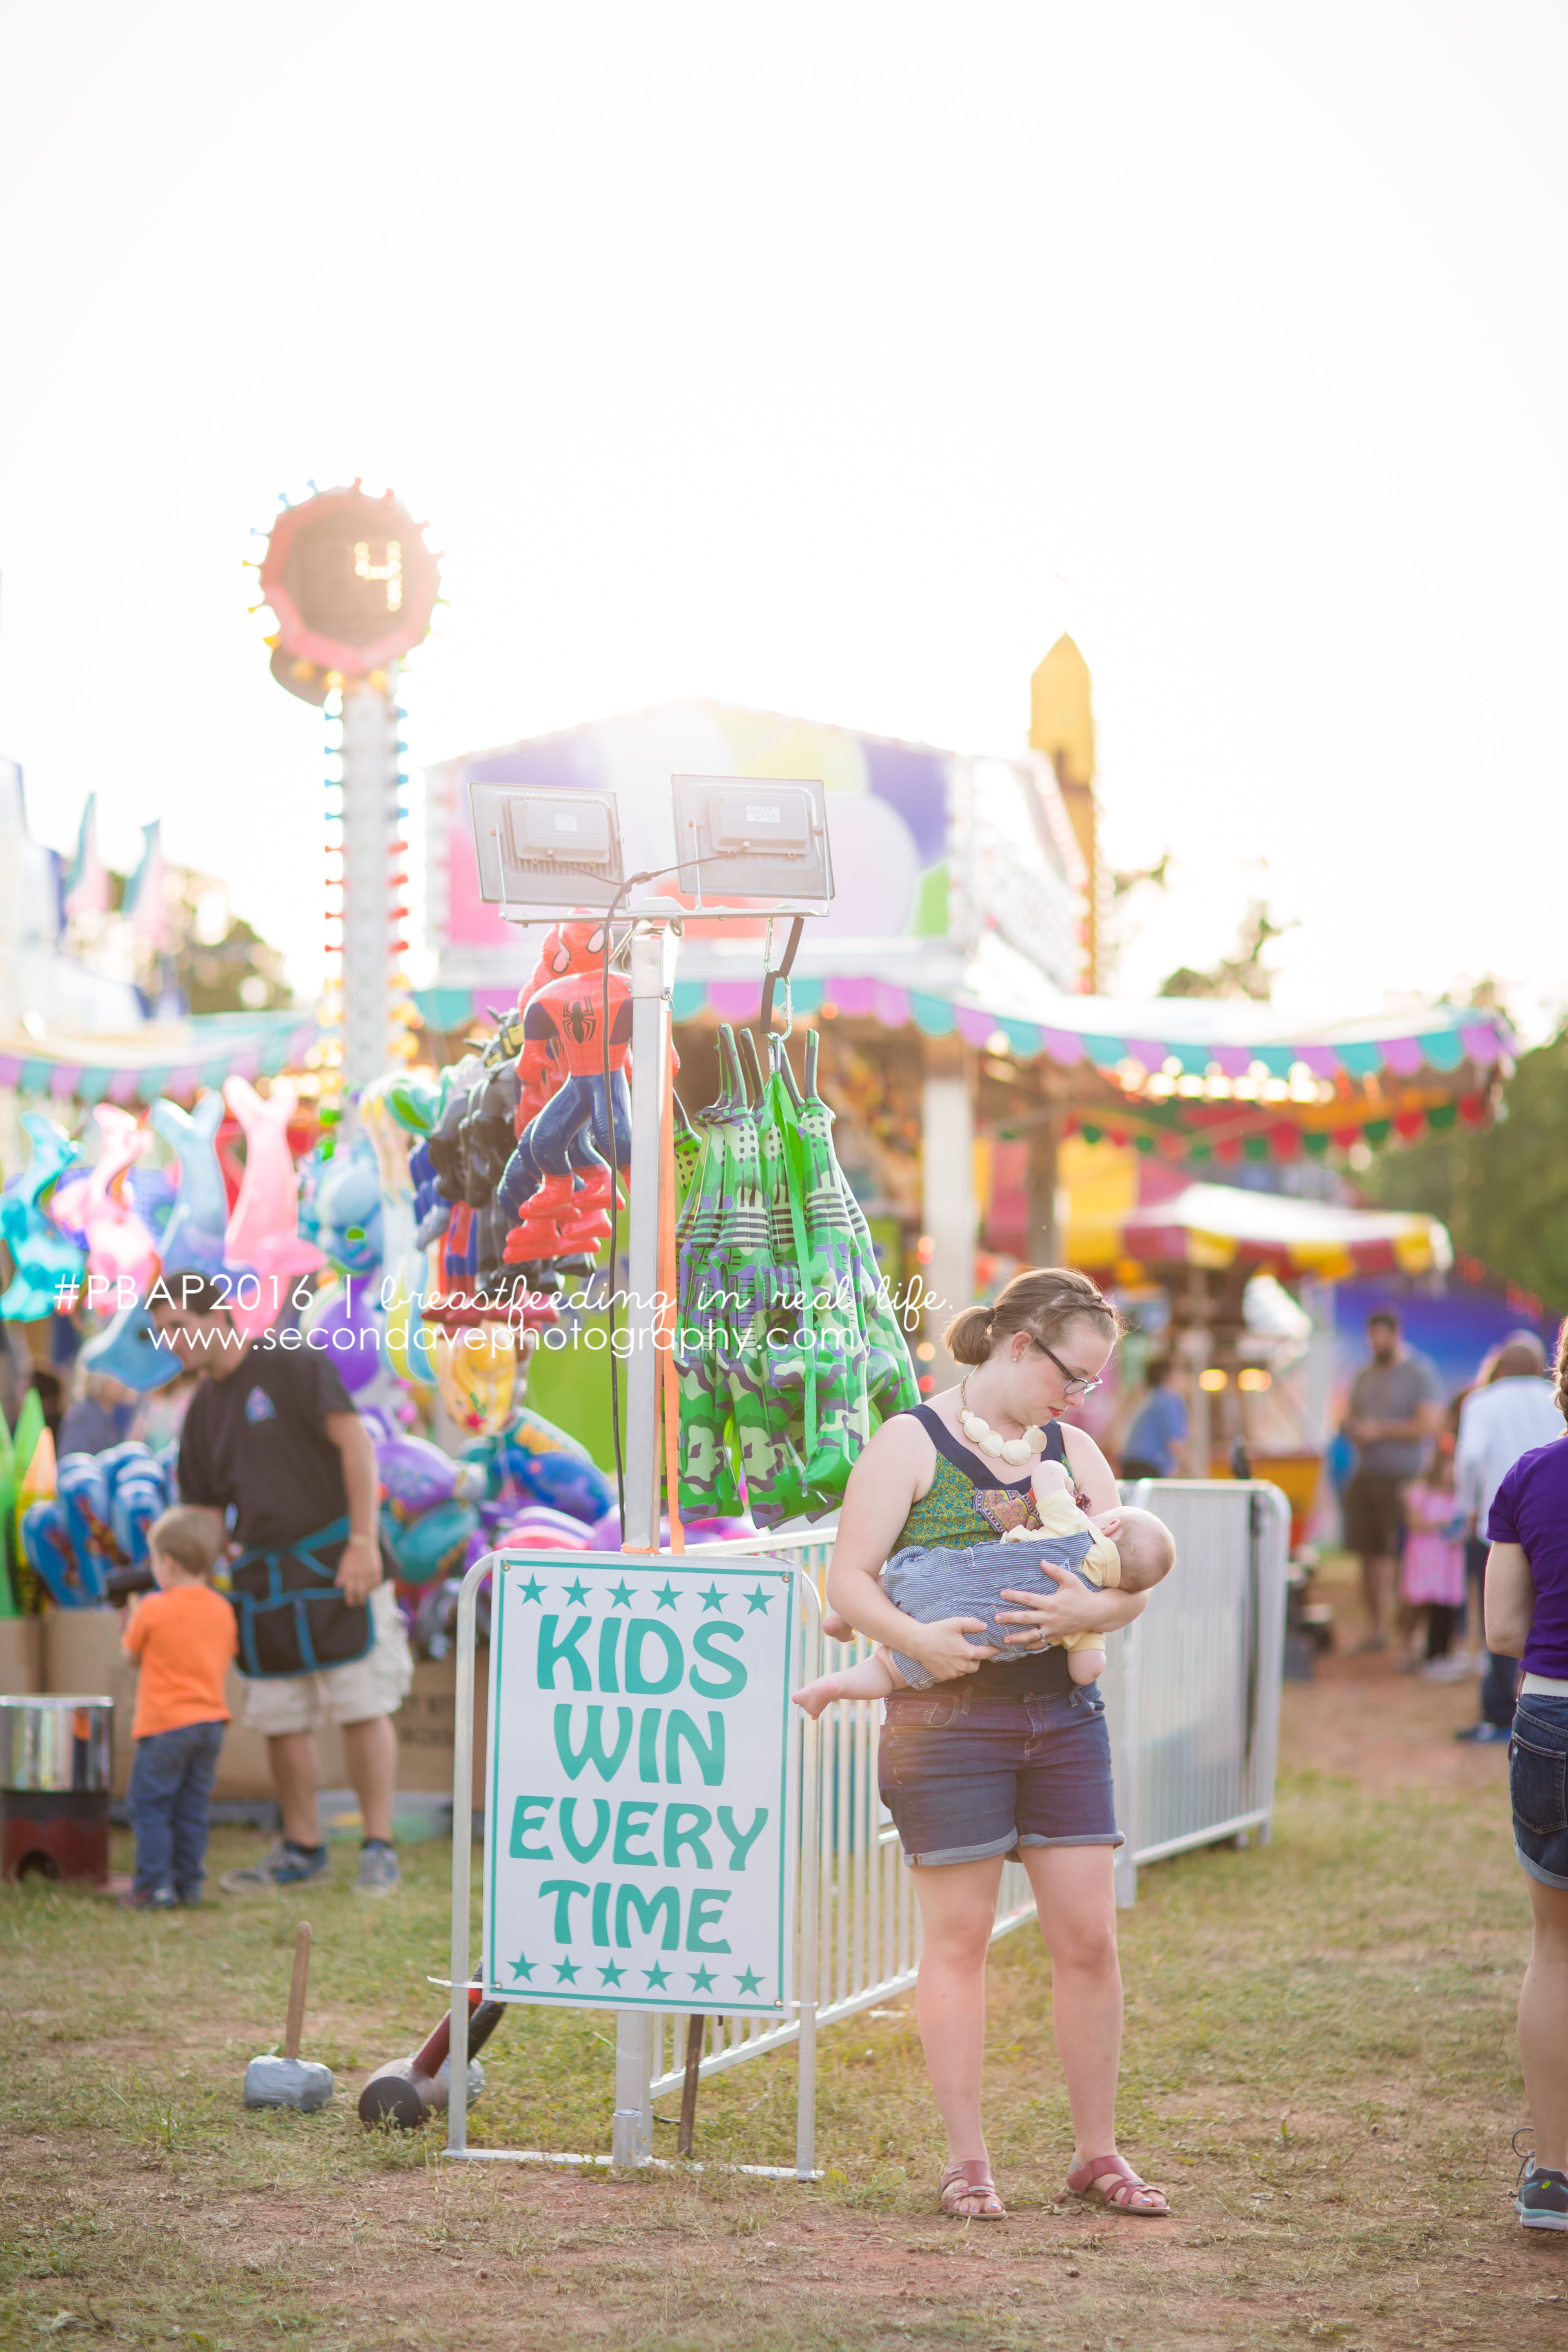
[370, 829]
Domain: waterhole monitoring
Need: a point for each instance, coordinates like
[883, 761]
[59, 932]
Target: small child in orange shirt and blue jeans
[185, 1638]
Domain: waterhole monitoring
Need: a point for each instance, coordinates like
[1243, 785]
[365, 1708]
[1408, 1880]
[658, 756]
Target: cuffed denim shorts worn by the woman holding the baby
[970, 1775]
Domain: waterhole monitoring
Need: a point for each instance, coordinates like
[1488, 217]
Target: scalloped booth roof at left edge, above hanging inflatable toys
[166, 1057]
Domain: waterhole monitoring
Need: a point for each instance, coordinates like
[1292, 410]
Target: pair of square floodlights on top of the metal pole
[742, 846]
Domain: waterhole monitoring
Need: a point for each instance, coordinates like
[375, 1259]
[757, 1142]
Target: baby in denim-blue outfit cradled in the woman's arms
[925, 1584]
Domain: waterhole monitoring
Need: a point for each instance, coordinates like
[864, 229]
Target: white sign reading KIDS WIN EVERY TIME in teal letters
[641, 1805]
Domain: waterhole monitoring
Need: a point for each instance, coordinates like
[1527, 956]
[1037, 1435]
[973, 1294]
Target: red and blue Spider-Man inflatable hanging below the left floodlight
[558, 1180]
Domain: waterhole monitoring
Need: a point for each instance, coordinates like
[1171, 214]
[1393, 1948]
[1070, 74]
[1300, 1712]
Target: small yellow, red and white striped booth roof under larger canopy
[1219, 1227]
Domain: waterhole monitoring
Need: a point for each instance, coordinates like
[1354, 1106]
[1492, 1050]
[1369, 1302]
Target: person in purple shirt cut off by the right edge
[1527, 1617]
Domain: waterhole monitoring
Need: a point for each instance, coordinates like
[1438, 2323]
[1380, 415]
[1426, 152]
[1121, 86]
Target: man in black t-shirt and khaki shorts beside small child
[274, 1438]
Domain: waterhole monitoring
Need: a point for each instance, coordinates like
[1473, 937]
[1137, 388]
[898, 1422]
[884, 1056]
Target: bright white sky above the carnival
[826, 359]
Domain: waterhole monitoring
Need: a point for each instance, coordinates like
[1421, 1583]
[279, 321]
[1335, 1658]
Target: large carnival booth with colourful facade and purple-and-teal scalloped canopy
[949, 987]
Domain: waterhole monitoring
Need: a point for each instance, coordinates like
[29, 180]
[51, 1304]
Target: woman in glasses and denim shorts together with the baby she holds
[1003, 1751]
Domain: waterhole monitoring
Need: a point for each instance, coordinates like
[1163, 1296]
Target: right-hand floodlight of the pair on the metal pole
[753, 838]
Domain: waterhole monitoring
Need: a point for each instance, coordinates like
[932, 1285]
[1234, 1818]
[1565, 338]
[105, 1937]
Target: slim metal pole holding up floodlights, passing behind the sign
[652, 984]
